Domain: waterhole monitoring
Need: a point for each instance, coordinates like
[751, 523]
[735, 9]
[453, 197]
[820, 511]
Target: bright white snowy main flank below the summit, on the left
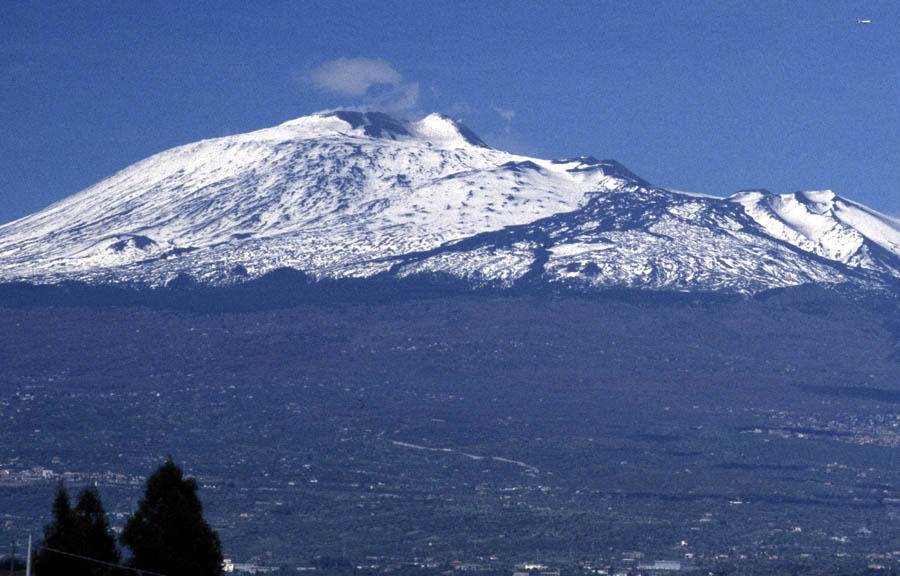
[321, 193]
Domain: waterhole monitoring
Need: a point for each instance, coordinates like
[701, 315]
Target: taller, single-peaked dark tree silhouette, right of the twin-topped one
[168, 534]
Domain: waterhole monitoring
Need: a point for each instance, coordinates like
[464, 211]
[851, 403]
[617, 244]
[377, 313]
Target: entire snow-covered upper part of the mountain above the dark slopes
[351, 194]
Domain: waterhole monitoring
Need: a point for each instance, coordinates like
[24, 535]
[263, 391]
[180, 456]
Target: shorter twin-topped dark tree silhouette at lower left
[83, 532]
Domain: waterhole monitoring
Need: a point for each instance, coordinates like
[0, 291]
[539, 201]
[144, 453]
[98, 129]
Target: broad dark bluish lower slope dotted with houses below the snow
[465, 426]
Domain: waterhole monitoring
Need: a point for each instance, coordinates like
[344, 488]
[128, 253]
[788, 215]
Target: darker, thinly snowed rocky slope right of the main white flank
[639, 238]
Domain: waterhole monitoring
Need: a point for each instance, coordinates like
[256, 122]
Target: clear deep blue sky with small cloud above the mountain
[700, 96]
